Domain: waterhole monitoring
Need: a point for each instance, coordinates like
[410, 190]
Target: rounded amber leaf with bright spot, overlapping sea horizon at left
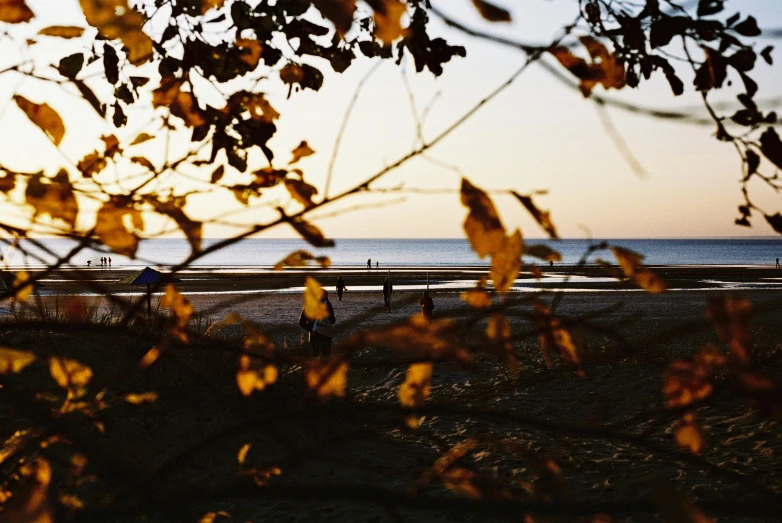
[116, 223]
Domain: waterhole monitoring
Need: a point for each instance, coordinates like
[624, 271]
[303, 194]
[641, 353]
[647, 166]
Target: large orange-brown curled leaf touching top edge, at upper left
[116, 19]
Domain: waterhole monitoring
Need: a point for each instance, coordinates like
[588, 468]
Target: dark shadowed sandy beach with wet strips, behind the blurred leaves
[606, 430]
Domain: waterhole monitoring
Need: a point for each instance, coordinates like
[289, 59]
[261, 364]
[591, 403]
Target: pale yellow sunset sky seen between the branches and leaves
[536, 135]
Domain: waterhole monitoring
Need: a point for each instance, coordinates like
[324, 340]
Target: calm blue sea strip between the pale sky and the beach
[409, 252]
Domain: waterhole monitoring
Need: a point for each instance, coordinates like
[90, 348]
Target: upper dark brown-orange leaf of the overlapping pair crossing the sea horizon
[483, 226]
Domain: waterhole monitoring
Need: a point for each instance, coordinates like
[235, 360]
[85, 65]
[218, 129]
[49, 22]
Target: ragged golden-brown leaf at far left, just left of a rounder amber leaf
[55, 197]
